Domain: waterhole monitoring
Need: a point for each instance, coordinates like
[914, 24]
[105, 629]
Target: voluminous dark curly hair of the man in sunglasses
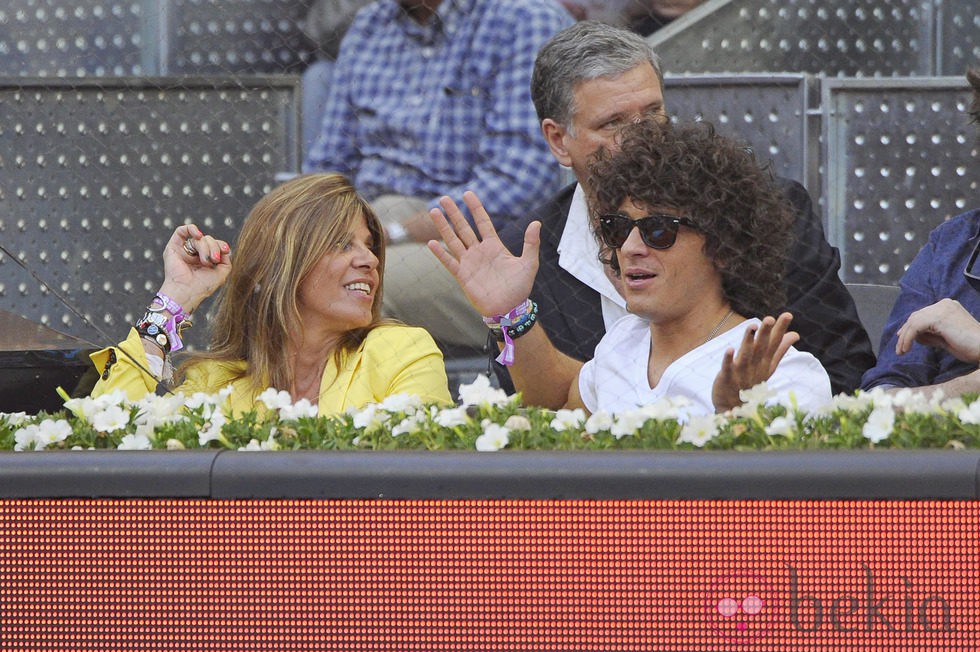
[714, 180]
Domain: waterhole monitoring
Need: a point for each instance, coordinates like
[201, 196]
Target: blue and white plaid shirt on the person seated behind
[437, 109]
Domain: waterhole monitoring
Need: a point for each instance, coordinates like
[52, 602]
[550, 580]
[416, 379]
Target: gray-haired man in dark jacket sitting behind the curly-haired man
[589, 80]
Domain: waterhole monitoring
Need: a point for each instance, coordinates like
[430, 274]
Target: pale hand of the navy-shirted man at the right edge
[945, 324]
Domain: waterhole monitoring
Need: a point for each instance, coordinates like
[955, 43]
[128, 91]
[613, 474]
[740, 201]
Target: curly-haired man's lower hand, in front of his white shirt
[762, 348]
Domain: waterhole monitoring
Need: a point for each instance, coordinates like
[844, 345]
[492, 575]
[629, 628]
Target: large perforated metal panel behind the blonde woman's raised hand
[94, 177]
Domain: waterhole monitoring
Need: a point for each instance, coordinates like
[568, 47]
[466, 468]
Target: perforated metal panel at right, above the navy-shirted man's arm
[899, 158]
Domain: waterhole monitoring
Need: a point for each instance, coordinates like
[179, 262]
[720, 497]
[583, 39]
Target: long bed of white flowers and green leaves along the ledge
[489, 420]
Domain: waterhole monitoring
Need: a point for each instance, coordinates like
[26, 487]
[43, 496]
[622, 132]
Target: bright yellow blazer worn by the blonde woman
[393, 359]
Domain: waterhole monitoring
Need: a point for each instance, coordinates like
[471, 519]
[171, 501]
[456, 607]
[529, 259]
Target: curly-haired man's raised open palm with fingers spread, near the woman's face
[494, 280]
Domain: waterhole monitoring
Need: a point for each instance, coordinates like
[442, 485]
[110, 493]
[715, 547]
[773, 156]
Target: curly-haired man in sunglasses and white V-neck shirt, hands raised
[697, 234]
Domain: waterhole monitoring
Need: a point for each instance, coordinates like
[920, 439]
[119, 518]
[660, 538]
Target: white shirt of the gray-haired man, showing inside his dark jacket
[578, 254]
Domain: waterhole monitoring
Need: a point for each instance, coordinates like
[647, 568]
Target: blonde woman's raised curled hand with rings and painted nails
[194, 266]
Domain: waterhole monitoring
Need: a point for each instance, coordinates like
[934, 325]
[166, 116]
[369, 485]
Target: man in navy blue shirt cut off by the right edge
[932, 338]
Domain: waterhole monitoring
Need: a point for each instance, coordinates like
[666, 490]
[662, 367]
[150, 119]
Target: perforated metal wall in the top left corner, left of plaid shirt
[74, 38]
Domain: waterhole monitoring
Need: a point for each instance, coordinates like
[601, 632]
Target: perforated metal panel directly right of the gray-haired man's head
[768, 112]
